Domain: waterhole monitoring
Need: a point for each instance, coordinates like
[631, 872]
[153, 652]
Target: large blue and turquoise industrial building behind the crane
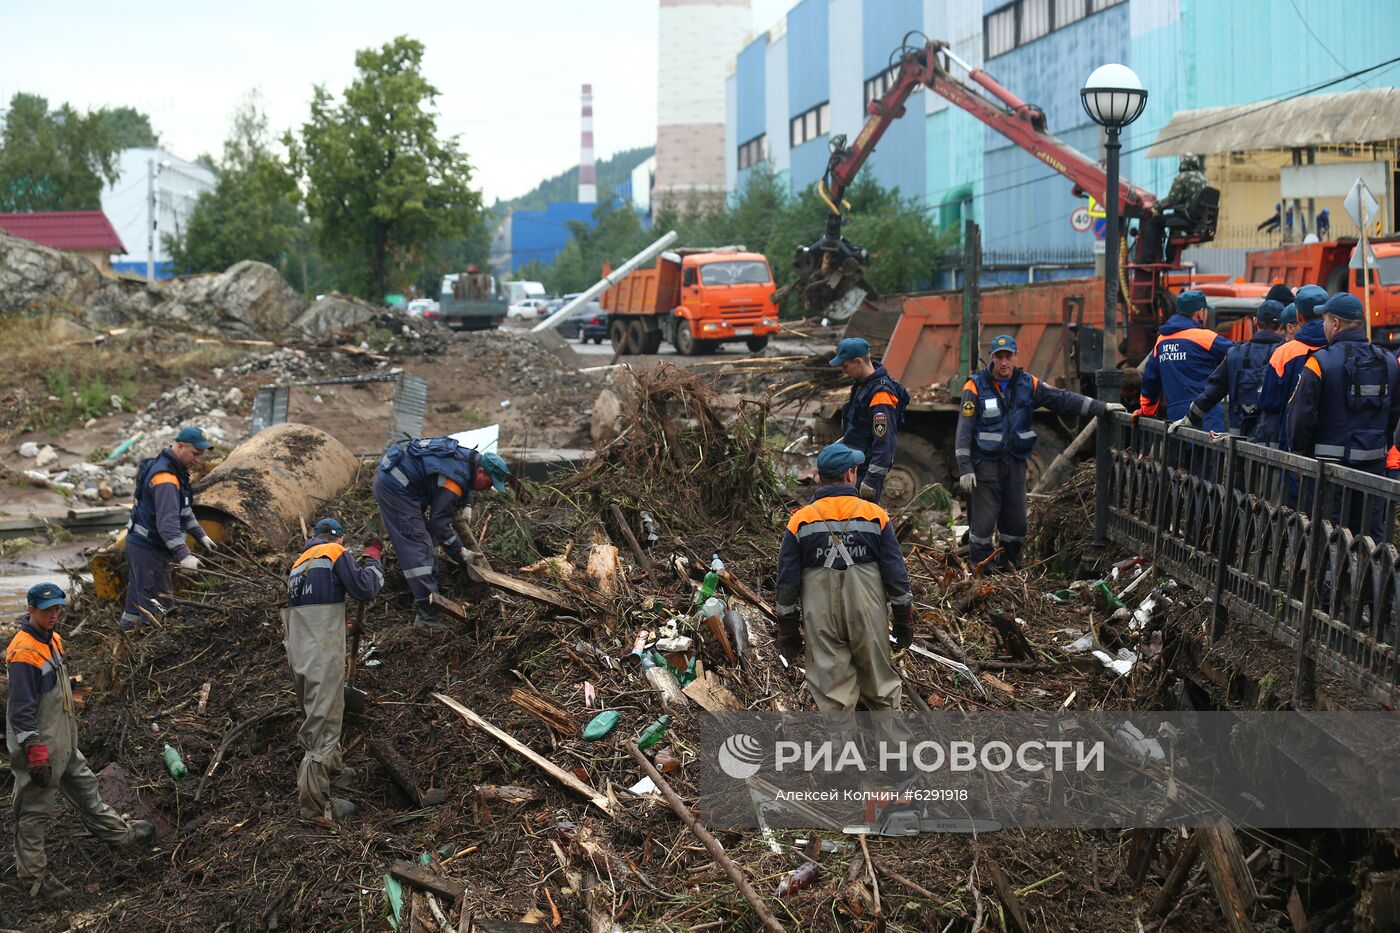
[811, 76]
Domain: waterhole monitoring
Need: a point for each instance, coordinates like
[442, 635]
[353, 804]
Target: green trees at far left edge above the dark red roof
[55, 160]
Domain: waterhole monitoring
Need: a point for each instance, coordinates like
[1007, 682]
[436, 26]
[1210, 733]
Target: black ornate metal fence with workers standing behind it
[1241, 522]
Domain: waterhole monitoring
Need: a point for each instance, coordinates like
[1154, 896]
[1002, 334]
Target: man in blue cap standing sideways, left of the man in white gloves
[874, 415]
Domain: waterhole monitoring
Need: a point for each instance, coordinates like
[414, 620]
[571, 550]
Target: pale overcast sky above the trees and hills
[509, 72]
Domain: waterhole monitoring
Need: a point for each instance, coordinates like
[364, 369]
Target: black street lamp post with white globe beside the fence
[1114, 97]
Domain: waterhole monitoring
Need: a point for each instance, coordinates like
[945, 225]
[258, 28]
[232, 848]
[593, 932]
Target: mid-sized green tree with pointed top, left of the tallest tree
[253, 214]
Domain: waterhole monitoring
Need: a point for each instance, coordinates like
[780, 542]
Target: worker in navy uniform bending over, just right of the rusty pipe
[421, 487]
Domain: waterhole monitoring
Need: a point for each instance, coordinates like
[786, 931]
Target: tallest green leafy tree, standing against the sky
[380, 183]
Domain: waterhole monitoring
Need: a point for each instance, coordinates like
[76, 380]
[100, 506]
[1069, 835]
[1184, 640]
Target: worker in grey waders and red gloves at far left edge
[43, 736]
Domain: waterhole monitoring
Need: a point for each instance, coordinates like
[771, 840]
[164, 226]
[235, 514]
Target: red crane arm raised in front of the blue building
[1023, 124]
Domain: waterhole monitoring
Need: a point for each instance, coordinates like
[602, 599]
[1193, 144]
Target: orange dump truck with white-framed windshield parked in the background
[695, 300]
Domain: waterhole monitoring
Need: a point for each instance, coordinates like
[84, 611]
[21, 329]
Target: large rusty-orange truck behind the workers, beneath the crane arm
[1059, 330]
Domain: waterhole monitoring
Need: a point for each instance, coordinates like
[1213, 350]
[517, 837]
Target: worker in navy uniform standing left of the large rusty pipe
[162, 516]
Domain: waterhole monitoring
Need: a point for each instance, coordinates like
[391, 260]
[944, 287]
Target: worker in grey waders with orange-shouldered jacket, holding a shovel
[316, 638]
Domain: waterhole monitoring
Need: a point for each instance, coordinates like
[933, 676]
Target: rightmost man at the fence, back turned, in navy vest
[1345, 408]
